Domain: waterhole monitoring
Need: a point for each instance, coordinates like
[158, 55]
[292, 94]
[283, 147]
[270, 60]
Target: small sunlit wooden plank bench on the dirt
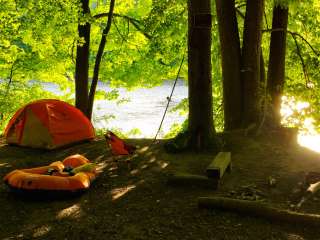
[219, 165]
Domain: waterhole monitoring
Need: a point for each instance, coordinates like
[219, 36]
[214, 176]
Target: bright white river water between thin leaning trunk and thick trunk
[143, 111]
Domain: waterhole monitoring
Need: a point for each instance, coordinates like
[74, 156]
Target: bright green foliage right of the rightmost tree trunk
[304, 87]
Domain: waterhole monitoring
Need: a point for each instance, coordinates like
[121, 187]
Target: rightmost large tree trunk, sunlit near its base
[276, 68]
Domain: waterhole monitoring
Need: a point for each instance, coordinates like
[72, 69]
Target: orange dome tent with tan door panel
[49, 124]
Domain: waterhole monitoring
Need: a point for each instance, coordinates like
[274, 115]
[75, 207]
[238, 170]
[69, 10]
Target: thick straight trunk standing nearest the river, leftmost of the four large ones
[201, 127]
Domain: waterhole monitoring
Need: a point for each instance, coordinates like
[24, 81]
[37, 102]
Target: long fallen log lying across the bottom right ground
[258, 209]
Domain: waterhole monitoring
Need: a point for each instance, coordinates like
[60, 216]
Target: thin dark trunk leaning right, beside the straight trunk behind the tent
[98, 60]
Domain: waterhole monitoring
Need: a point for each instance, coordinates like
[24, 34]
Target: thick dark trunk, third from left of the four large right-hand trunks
[251, 62]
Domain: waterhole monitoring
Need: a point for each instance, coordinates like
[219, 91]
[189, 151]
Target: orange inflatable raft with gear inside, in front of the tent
[53, 178]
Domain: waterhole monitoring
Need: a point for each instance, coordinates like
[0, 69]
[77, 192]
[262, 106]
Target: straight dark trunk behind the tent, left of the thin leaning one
[82, 60]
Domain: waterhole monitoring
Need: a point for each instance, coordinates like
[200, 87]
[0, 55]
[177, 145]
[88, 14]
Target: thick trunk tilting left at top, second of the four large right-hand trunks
[230, 56]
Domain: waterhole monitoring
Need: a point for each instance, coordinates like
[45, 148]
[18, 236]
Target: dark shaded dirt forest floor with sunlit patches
[133, 201]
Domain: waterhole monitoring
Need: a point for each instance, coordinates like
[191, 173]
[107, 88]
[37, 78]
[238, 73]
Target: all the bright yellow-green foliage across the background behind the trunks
[144, 47]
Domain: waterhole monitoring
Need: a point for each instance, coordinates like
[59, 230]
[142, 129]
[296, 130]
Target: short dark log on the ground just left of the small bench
[187, 180]
